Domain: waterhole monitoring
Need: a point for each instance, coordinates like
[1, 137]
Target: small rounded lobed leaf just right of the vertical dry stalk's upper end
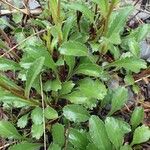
[52, 85]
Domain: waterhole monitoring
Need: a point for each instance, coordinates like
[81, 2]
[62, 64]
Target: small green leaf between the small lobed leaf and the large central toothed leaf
[66, 87]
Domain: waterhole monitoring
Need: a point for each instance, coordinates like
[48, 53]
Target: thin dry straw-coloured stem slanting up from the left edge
[42, 31]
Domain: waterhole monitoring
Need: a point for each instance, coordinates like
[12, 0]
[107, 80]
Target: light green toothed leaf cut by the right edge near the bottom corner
[141, 135]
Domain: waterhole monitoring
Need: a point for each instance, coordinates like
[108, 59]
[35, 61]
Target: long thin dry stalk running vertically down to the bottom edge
[43, 113]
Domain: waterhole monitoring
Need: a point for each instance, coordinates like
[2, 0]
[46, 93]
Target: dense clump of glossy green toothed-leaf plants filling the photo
[61, 82]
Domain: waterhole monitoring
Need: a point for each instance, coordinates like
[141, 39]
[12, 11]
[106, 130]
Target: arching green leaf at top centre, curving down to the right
[82, 8]
